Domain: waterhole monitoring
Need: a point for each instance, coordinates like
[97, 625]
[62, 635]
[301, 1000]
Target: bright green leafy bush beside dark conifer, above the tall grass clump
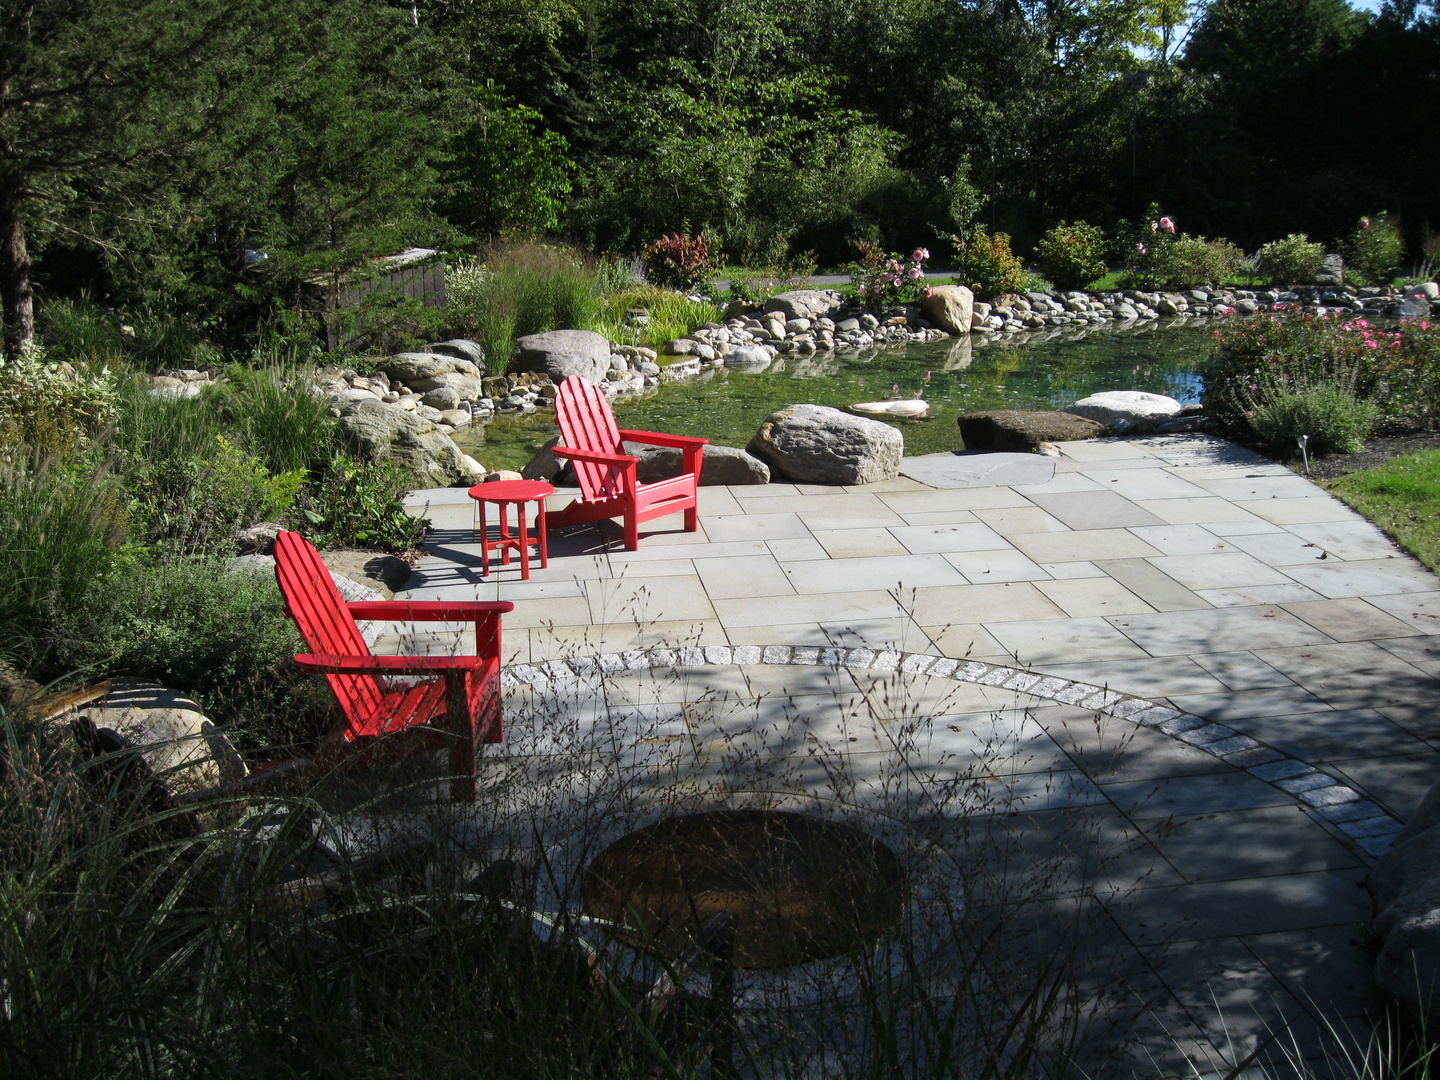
[509, 172]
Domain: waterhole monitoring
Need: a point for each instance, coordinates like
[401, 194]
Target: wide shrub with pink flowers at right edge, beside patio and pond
[1396, 369]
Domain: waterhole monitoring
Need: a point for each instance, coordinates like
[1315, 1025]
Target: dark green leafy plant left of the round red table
[358, 505]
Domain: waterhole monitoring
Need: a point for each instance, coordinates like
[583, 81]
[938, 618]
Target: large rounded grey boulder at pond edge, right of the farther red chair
[813, 444]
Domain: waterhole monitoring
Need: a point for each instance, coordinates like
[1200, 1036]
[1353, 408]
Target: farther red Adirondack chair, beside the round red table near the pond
[607, 474]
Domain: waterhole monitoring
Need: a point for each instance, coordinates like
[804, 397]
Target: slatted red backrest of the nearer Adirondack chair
[325, 621]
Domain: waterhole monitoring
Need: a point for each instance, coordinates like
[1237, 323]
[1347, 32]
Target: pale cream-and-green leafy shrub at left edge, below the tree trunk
[51, 405]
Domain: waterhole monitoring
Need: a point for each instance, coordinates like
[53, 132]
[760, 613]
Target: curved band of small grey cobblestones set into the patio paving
[1363, 823]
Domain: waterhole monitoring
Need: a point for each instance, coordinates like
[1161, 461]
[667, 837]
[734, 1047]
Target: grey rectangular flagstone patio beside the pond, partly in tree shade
[1223, 675]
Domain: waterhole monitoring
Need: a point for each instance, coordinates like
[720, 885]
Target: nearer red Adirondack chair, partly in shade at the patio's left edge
[457, 709]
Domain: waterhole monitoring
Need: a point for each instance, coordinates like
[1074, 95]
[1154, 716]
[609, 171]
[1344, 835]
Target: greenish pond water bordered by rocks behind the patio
[955, 377]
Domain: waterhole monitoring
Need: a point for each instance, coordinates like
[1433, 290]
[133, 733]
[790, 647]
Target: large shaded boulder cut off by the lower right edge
[1406, 886]
